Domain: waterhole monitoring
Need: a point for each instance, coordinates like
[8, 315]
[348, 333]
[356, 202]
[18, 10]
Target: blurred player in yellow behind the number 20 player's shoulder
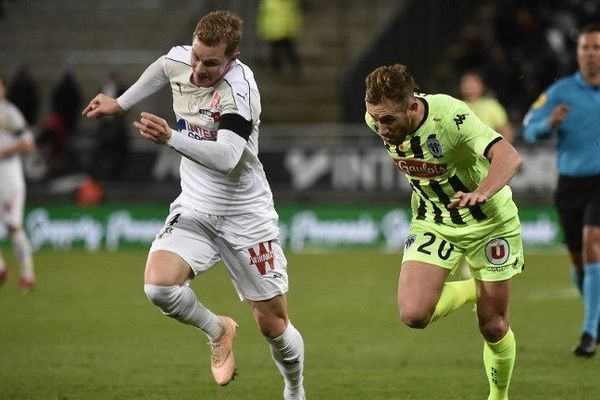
[474, 92]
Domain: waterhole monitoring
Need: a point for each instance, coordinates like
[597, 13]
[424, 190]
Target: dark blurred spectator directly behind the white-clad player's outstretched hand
[112, 139]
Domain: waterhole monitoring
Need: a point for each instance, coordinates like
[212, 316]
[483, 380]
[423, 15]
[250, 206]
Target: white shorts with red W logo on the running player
[248, 244]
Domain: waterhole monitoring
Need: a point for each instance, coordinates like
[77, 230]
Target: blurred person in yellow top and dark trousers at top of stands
[279, 23]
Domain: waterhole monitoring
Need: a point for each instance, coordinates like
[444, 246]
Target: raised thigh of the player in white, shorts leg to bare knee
[184, 247]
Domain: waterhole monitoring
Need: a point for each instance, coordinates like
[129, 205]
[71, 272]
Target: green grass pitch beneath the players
[89, 333]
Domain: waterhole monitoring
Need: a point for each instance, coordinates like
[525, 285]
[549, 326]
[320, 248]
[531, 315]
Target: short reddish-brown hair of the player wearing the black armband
[219, 26]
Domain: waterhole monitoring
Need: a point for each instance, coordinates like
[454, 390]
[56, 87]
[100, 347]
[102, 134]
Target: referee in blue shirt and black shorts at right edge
[569, 109]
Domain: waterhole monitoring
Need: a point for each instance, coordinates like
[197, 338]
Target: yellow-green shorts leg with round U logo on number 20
[498, 254]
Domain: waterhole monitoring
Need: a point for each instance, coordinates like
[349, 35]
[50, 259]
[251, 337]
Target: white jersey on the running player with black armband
[197, 111]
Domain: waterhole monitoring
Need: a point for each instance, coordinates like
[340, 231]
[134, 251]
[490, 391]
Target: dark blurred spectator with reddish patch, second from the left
[61, 122]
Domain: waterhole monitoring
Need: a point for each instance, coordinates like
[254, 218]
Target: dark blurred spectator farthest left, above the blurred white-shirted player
[24, 93]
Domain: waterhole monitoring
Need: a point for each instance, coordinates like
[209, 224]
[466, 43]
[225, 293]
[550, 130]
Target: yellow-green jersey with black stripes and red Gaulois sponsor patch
[446, 154]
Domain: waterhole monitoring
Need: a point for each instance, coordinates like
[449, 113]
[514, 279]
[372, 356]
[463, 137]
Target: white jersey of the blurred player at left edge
[13, 129]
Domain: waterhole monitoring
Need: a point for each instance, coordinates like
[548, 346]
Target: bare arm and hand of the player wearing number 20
[504, 163]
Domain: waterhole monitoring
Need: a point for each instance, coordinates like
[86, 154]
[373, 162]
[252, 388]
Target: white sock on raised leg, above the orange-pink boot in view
[180, 303]
